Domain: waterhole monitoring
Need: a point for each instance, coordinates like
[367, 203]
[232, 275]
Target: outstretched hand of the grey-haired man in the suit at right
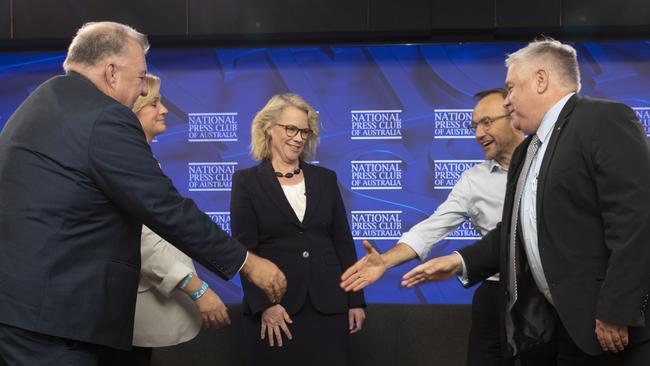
[437, 269]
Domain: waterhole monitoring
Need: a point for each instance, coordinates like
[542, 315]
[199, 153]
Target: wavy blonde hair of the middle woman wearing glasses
[268, 116]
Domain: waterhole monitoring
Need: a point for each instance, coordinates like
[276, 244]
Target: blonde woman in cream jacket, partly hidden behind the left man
[172, 301]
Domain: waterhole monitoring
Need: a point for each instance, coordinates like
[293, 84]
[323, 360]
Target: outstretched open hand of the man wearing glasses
[366, 271]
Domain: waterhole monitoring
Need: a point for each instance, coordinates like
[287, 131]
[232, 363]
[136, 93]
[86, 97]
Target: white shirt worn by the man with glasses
[478, 195]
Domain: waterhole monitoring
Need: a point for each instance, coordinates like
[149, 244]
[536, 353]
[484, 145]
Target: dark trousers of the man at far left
[20, 347]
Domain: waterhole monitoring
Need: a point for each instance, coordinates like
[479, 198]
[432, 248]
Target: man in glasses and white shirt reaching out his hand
[478, 195]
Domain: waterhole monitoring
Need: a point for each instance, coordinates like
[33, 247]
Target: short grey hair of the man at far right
[555, 55]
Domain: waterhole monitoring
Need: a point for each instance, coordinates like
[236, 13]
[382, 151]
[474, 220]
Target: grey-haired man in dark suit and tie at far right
[573, 246]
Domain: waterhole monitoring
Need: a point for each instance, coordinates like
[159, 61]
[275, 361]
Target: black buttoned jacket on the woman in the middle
[312, 253]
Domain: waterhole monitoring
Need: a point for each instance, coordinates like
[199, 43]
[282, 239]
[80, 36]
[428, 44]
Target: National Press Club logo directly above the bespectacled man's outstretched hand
[376, 225]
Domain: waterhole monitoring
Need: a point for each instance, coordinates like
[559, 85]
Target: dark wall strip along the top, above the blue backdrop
[332, 20]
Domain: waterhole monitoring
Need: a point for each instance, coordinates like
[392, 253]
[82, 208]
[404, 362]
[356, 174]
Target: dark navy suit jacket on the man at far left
[77, 181]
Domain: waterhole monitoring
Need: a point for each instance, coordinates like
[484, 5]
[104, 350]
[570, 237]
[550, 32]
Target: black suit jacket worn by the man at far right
[593, 225]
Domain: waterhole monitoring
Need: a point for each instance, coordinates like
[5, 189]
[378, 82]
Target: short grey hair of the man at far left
[95, 41]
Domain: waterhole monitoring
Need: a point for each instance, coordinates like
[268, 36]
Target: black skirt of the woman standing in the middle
[318, 339]
